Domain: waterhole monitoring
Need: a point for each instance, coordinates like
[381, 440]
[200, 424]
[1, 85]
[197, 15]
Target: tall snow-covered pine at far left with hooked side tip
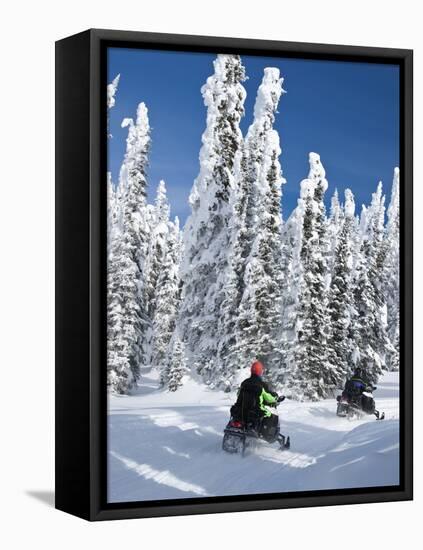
[126, 316]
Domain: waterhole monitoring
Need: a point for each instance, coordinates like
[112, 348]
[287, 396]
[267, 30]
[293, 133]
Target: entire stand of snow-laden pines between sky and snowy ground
[314, 297]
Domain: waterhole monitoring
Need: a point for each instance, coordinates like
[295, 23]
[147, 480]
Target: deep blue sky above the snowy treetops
[347, 112]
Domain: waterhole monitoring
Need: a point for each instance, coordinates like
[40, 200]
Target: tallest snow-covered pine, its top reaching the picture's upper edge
[207, 233]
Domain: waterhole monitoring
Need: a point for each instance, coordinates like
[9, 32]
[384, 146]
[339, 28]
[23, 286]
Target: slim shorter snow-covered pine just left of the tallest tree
[167, 299]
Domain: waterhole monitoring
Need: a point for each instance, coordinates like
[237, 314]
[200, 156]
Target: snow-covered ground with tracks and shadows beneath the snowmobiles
[166, 445]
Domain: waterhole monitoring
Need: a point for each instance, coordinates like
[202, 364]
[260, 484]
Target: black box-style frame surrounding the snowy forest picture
[81, 430]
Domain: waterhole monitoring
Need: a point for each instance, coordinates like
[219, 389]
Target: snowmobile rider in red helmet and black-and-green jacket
[254, 397]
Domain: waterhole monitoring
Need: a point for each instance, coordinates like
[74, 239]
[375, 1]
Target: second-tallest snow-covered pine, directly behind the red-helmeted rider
[250, 321]
